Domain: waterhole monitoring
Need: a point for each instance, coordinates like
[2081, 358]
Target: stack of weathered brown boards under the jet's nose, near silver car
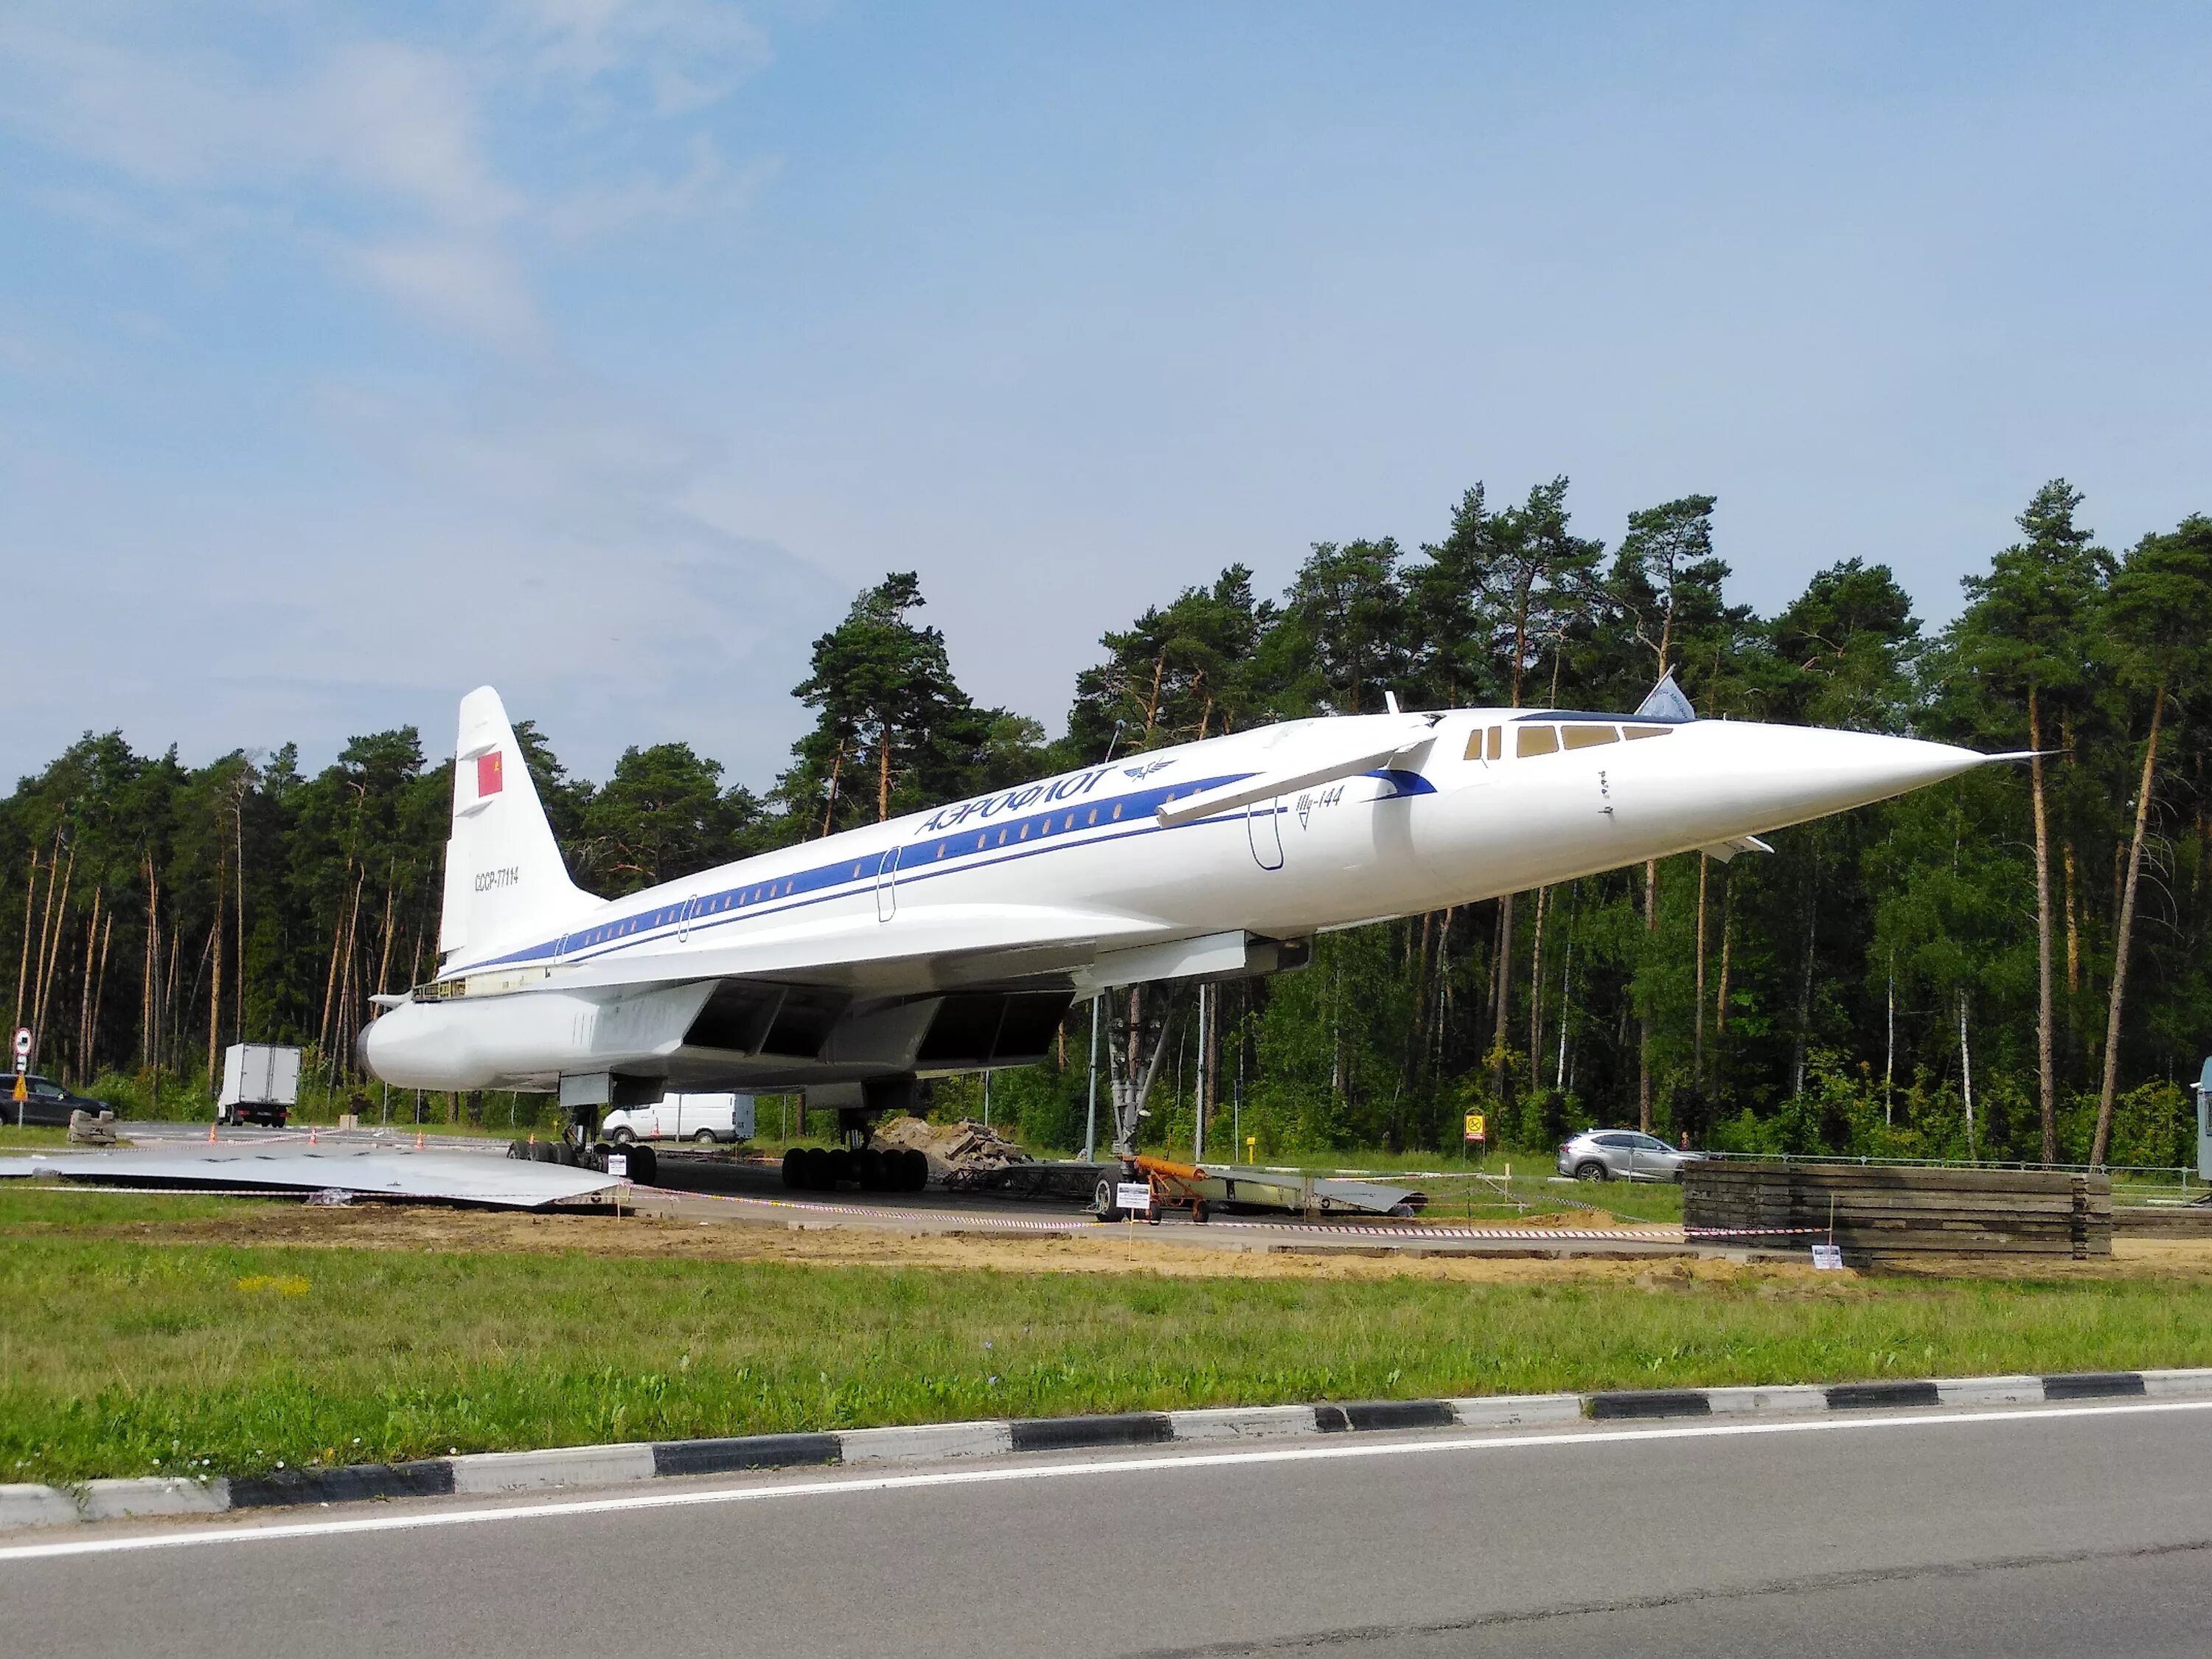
[1881, 1211]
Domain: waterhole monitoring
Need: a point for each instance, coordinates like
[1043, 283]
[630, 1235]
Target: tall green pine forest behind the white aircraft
[2010, 966]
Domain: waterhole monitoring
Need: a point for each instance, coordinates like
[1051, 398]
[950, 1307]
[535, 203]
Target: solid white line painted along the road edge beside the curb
[187, 1538]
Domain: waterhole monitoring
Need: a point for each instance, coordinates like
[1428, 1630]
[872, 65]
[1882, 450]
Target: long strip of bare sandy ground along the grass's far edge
[1112, 1251]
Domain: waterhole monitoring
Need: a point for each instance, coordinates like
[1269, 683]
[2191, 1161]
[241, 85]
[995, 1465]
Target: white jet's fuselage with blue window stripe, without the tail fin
[1074, 879]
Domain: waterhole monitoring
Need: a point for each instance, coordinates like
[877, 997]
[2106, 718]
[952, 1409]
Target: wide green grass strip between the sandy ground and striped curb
[123, 1357]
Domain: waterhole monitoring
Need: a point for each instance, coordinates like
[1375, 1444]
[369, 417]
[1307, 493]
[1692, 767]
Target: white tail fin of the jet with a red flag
[503, 870]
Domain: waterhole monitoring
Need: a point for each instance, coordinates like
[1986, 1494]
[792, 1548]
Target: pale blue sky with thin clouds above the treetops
[603, 348]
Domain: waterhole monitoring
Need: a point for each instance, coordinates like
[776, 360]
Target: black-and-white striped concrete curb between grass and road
[508, 1472]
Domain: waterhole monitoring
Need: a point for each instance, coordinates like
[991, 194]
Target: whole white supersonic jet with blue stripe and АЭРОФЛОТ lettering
[957, 939]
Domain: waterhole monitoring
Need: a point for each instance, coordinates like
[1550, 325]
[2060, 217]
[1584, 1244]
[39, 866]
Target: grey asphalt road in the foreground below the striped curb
[2007, 1534]
